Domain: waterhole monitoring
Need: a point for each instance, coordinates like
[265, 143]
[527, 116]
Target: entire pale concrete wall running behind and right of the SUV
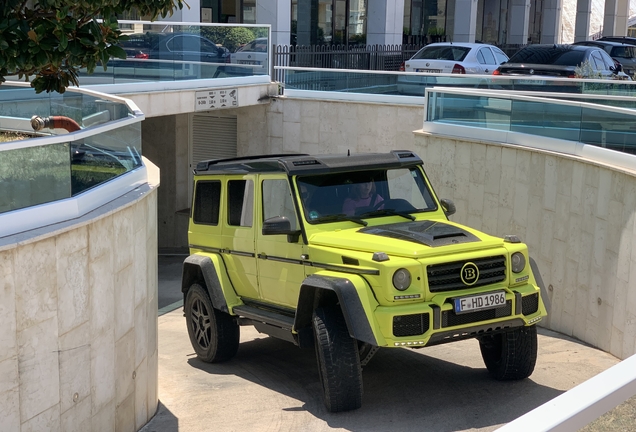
[577, 216]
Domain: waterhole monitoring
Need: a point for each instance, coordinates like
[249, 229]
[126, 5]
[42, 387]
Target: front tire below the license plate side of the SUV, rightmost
[510, 355]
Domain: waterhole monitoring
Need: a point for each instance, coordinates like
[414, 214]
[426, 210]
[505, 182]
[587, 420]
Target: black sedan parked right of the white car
[560, 61]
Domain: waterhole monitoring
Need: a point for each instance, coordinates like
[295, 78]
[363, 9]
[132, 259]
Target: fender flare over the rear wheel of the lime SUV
[201, 268]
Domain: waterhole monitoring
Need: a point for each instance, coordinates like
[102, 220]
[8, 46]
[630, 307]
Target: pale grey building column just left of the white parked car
[385, 22]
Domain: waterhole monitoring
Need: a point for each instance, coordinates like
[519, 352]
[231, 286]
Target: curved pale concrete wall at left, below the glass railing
[78, 320]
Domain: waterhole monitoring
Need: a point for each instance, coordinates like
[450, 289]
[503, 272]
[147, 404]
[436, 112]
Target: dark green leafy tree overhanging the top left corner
[50, 40]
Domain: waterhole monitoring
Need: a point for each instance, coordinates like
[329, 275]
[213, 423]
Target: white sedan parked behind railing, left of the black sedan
[457, 58]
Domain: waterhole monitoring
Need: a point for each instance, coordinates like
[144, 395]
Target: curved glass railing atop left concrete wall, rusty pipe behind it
[79, 141]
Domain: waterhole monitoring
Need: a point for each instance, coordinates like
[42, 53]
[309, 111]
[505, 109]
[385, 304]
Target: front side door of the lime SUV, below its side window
[280, 262]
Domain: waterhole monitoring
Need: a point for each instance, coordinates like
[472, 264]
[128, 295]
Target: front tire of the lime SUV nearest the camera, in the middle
[338, 360]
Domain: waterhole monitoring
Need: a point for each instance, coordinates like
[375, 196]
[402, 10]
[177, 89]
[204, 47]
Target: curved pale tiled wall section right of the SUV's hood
[577, 217]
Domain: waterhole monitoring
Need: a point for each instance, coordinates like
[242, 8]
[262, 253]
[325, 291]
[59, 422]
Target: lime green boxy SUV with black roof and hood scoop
[347, 254]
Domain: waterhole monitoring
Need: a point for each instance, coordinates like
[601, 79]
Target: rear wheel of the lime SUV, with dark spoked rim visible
[214, 334]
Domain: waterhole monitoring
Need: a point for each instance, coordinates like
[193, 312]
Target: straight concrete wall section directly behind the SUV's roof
[314, 126]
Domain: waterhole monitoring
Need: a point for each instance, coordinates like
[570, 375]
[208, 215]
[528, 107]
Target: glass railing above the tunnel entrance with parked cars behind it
[165, 51]
